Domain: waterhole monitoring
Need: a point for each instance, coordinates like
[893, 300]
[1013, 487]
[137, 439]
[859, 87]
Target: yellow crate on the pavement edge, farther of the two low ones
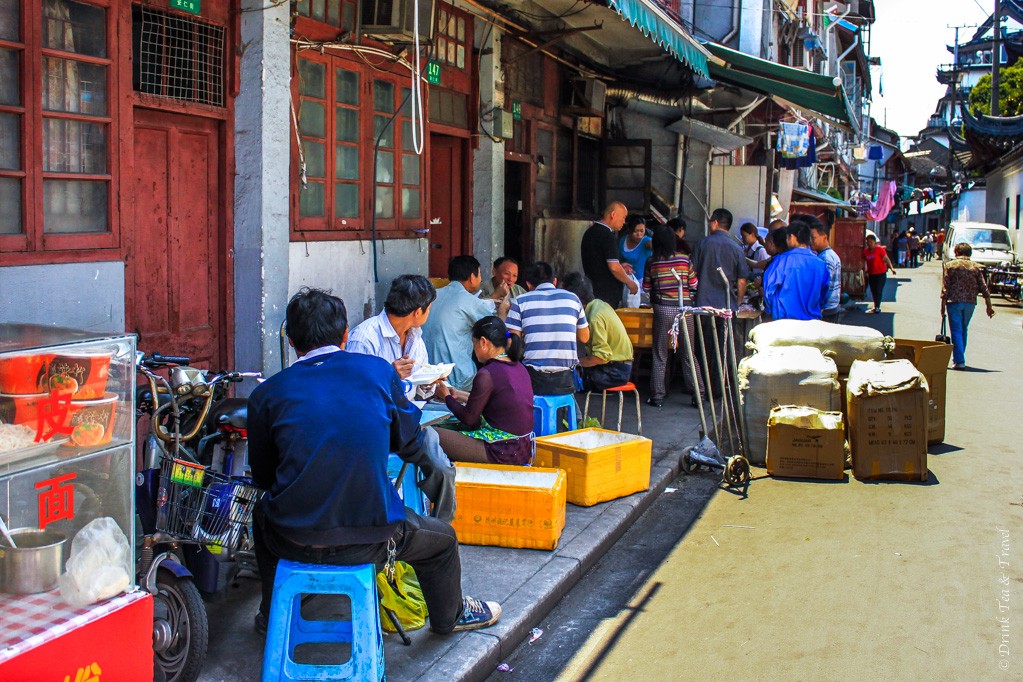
[601, 465]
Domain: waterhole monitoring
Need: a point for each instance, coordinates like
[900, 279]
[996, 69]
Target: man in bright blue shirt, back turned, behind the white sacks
[796, 282]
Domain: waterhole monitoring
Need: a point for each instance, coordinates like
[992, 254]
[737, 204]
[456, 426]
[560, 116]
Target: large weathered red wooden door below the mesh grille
[174, 272]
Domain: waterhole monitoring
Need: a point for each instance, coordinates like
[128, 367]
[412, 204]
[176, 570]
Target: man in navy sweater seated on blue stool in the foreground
[320, 434]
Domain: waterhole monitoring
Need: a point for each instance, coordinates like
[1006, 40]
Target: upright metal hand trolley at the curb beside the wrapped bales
[729, 430]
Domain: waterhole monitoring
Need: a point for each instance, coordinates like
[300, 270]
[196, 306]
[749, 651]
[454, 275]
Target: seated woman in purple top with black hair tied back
[499, 410]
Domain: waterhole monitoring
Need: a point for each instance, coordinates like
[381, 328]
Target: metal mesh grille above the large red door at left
[177, 57]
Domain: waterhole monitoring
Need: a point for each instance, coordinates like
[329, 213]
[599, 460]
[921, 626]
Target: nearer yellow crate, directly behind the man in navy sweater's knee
[509, 507]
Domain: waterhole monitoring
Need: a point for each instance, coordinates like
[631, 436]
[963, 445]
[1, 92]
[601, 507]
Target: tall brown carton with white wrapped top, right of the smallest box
[888, 411]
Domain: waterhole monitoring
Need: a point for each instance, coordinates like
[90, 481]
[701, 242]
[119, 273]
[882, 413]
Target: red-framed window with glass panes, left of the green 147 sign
[343, 109]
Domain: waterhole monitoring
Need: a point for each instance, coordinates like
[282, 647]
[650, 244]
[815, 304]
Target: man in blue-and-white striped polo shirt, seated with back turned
[551, 322]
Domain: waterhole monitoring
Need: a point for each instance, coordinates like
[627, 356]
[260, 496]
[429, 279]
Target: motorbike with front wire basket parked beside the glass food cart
[194, 505]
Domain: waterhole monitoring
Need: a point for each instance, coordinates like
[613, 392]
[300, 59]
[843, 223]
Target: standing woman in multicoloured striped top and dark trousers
[660, 282]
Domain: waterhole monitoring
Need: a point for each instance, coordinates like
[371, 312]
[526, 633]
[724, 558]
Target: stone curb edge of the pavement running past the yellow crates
[477, 655]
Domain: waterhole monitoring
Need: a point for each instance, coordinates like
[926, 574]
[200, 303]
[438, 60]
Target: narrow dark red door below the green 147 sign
[447, 207]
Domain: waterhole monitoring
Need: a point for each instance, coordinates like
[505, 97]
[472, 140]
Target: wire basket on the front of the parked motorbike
[199, 505]
